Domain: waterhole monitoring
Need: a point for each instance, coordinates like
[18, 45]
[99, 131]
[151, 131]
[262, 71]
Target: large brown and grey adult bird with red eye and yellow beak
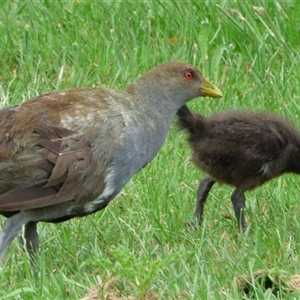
[69, 153]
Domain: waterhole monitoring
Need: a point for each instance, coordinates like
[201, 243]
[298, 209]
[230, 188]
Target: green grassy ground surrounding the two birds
[138, 246]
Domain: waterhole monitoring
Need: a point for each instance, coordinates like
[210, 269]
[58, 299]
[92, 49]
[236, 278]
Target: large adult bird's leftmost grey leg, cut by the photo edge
[12, 227]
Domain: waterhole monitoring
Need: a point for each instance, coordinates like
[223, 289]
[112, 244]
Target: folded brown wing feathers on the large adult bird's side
[66, 157]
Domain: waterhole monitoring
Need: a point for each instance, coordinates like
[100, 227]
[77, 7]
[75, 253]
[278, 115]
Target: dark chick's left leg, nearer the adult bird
[204, 187]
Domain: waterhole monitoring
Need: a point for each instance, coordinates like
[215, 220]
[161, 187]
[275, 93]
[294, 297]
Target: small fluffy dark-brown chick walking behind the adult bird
[240, 148]
